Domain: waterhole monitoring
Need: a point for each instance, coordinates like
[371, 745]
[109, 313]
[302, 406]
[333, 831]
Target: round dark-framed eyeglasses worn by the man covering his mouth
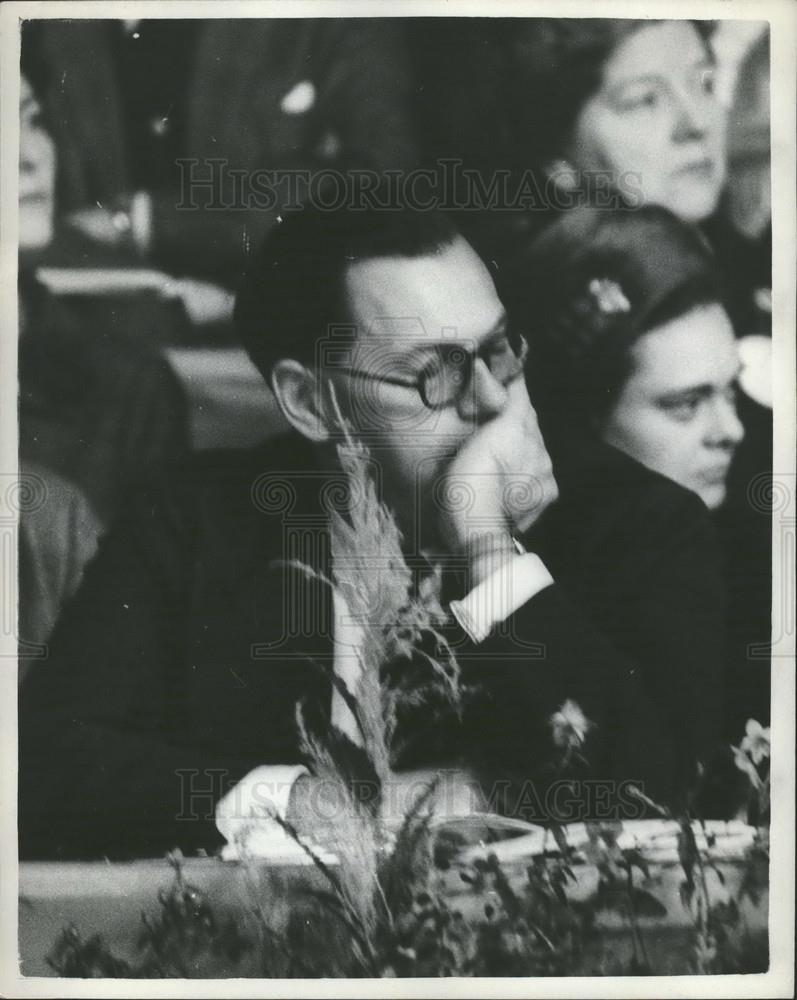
[447, 376]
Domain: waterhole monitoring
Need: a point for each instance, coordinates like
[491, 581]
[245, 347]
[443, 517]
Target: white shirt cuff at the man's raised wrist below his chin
[502, 593]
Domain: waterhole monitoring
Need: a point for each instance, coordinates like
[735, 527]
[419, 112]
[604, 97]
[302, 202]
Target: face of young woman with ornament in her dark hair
[676, 413]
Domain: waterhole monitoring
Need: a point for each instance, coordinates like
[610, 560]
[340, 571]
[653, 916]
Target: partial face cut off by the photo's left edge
[36, 174]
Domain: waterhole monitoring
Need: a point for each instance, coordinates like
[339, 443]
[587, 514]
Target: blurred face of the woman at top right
[656, 117]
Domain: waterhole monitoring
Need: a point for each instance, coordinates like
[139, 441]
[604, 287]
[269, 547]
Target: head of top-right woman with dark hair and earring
[633, 101]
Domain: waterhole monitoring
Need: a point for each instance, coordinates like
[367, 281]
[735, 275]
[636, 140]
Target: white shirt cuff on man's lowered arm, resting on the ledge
[245, 815]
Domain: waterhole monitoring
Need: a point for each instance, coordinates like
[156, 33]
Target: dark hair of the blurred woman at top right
[554, 65]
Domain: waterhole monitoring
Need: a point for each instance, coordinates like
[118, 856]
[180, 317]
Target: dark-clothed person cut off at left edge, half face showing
[96, 410]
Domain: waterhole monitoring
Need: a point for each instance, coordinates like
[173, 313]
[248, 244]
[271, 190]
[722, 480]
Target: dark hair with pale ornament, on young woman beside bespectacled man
[586, 289]
